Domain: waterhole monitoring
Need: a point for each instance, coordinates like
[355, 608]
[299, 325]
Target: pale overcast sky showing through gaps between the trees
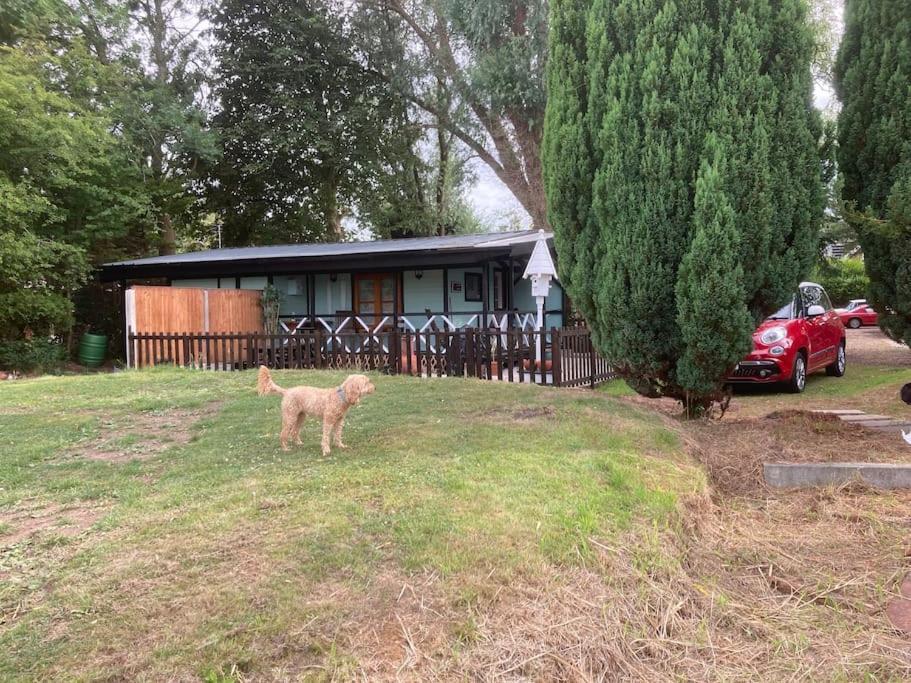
[497, 207]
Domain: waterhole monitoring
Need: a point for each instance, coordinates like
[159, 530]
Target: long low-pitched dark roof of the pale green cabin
[336, 255]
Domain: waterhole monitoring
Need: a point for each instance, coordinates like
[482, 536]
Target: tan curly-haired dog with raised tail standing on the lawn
[331, 404]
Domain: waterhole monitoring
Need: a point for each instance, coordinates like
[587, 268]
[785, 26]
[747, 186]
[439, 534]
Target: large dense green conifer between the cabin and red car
[683, 177]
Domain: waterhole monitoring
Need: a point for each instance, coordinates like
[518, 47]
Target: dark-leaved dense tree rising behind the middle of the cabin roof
[306, 126]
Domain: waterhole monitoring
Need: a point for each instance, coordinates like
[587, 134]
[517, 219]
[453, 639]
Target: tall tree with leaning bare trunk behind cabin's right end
[476, 68]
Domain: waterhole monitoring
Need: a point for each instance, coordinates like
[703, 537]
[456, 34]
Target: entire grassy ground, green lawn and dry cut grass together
[152, 529]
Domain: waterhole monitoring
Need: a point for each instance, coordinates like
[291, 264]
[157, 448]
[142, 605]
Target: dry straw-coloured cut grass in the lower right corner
[756, 594]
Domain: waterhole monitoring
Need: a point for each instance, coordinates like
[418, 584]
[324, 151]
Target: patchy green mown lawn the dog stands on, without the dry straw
[151, 527]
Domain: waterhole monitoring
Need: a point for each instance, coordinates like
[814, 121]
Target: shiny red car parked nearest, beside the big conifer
[804, 336]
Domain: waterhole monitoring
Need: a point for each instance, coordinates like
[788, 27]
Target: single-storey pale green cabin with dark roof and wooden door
[451, 283]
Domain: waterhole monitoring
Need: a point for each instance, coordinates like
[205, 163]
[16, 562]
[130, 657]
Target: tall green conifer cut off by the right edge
[873, 82]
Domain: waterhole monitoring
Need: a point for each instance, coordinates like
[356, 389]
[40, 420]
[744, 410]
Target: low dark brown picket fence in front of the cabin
[569, 358]
